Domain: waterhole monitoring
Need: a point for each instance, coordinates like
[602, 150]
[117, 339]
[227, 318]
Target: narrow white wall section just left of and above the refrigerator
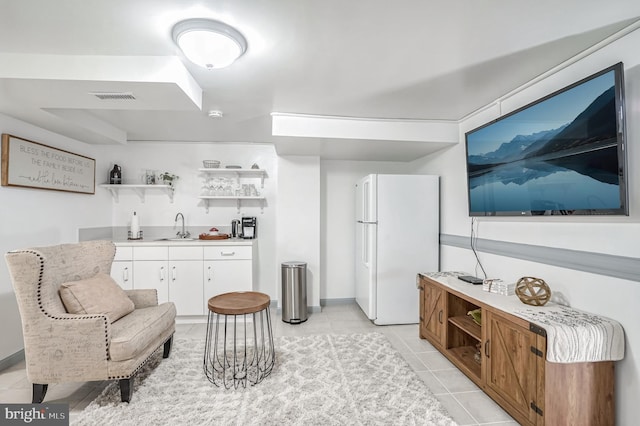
[338, 179]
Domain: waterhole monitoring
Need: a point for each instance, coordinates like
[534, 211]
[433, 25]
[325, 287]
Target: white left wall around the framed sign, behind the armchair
[35, 217]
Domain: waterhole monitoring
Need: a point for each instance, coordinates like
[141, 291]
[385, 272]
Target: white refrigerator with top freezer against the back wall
[397, 236]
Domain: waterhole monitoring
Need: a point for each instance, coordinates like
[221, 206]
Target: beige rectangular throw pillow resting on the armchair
[99, 294]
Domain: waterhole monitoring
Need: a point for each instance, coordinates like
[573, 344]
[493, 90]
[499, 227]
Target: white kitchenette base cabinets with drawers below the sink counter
[185, 275]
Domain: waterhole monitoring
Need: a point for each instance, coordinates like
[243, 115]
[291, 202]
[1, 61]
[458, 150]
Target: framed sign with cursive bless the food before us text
[34, 165]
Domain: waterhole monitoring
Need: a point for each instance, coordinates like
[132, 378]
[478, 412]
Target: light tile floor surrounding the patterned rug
[466, 403]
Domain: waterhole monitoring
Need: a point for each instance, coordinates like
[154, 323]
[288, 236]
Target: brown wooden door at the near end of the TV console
[511, 364]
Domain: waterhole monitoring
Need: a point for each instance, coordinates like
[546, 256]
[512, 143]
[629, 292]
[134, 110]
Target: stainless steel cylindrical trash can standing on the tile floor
[294, 292]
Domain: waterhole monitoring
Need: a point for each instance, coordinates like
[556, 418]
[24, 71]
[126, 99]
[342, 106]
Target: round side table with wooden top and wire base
[239, 342]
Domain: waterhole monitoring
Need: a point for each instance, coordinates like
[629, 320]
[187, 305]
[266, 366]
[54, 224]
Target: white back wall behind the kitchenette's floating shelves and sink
[184, 159]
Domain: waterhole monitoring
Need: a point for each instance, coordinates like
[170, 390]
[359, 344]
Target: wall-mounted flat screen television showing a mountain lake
[563, 154]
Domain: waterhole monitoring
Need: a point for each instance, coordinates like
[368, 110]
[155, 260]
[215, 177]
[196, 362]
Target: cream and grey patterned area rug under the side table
[355, 379]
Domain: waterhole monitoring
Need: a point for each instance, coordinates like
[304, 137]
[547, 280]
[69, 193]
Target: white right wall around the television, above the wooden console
[614, 298]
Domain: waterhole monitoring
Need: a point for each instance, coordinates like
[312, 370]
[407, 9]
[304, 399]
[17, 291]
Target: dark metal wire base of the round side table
[238, 349]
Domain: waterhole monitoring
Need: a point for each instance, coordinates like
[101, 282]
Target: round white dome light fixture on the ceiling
[208, 43]
